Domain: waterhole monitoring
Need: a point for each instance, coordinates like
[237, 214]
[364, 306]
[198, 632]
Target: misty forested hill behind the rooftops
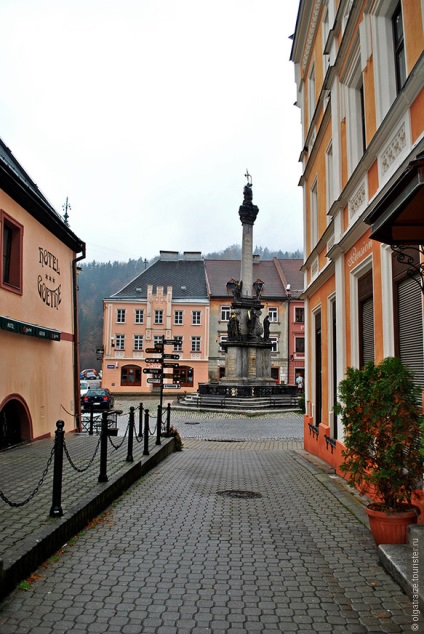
[98, 280]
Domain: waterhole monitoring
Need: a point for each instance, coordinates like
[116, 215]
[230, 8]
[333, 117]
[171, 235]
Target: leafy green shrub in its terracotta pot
[382, 418]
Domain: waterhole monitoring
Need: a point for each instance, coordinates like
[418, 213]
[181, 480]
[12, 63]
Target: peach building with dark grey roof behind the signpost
[169, 299]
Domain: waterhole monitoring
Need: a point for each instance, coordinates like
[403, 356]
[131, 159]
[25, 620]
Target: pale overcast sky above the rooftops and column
[146, 114]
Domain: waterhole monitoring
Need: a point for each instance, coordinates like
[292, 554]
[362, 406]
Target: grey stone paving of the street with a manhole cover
[176, 555]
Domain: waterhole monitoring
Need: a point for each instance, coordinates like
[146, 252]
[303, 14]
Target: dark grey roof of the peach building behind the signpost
[186, 277]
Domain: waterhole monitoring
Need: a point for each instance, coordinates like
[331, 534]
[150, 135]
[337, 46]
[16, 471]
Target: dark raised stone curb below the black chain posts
[31, 553]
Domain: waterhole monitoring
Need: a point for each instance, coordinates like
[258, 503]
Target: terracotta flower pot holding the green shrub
[391, 528]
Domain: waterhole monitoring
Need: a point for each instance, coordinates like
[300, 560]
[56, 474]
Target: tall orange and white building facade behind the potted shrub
[359, 69]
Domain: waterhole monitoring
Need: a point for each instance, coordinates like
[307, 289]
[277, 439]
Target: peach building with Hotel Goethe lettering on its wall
[39, 371]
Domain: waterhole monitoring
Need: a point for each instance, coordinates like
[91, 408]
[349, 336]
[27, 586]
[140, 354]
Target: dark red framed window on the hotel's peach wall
[12, 253]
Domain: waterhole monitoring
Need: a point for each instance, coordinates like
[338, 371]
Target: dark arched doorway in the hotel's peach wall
[15, 422]
